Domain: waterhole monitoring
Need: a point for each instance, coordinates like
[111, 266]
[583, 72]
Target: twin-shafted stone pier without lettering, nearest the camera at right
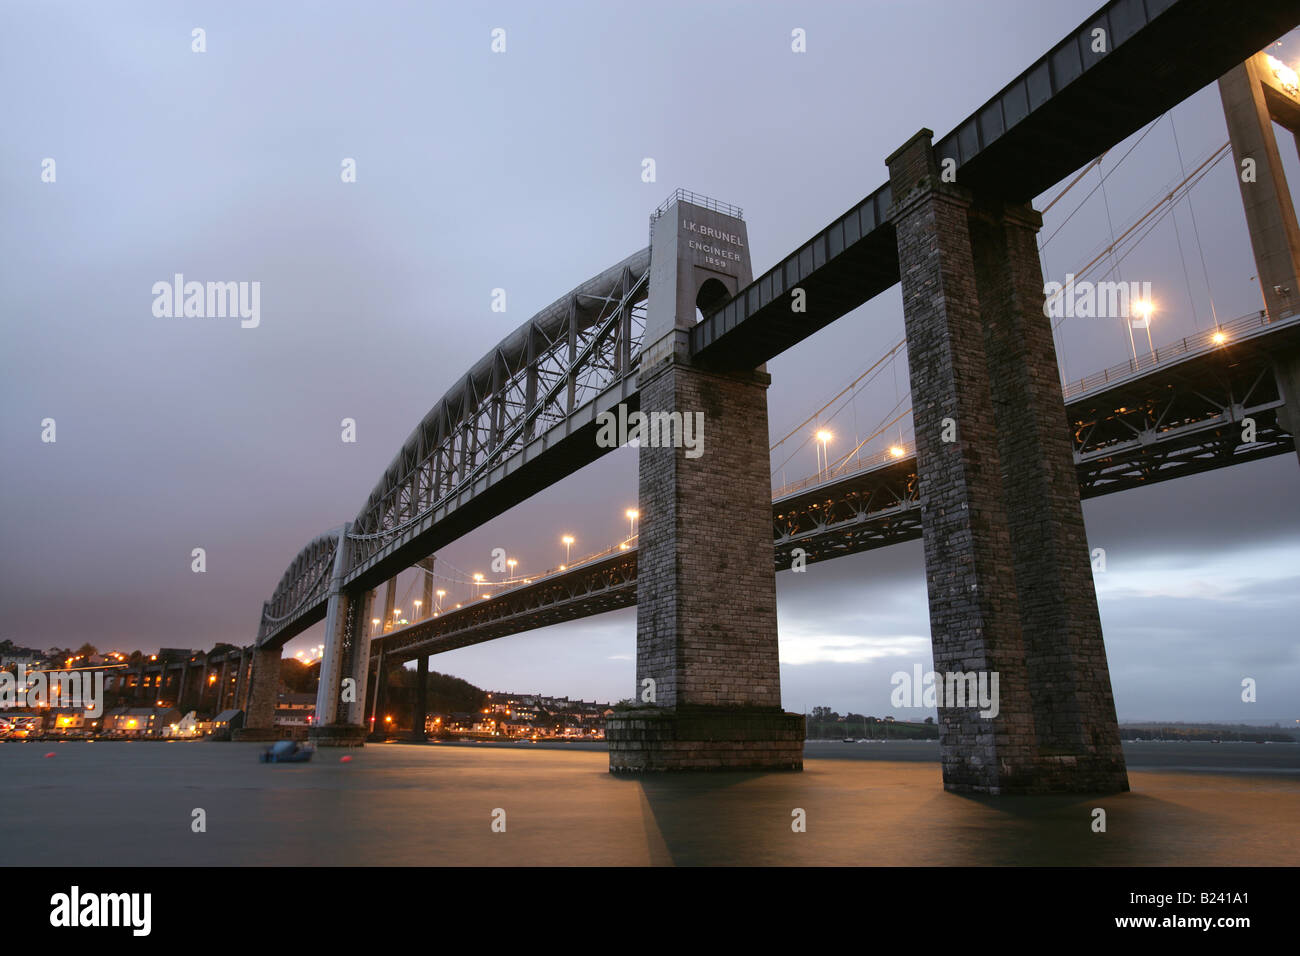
[1007, 557]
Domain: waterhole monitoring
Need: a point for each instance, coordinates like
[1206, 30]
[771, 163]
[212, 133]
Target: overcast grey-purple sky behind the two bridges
[523, 171]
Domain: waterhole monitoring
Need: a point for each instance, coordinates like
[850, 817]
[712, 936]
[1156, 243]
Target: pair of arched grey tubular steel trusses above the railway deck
[580, 348]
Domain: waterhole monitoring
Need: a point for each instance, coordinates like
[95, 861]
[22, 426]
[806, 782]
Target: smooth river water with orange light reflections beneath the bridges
[132, 804]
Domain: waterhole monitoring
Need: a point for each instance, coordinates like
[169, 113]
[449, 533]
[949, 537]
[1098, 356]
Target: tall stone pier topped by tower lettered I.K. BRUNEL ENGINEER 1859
[708, 677]
